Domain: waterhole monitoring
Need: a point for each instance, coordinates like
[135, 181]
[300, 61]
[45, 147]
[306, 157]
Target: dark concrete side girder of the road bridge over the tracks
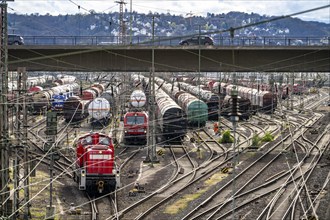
[169, 59]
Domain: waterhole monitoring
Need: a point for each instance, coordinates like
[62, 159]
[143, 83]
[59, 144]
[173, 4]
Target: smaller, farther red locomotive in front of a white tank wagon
[135, 127]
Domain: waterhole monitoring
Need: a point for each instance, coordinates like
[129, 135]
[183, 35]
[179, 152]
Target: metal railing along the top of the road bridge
[263, 41]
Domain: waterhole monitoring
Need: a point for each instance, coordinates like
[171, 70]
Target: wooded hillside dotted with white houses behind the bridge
[165, 25]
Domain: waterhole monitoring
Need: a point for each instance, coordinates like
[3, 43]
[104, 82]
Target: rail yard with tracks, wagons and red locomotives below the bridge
[132, 146]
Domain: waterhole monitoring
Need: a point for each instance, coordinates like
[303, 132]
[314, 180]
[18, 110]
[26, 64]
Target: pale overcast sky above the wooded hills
[179, 7]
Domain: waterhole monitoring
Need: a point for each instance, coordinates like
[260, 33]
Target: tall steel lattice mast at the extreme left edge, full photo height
[5, 202]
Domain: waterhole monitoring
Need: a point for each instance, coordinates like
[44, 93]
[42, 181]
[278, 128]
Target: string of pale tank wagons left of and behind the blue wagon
[42, 100]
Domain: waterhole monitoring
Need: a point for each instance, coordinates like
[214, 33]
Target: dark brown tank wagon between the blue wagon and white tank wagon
[75, 109]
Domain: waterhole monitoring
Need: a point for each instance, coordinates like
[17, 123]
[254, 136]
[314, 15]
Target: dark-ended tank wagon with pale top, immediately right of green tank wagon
[211, 99]
